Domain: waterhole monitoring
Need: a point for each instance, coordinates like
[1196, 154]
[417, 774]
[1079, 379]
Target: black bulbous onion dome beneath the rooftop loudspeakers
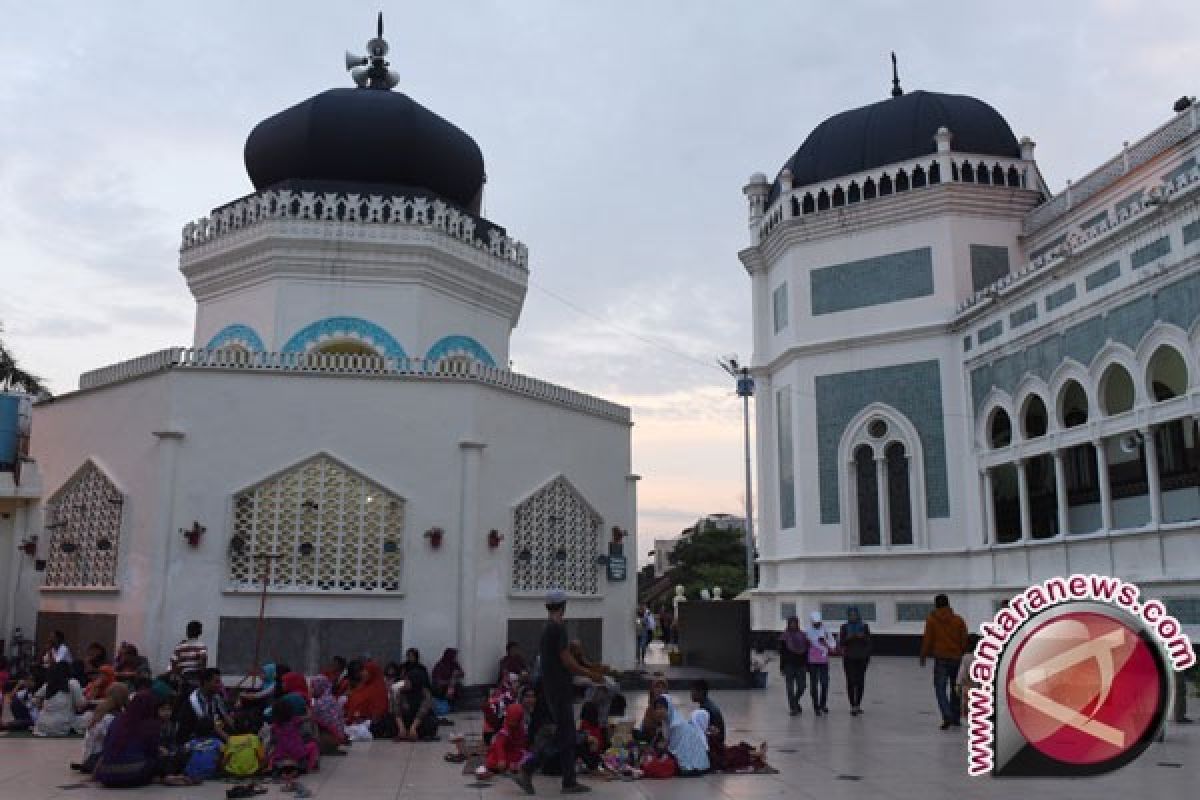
[367, 136]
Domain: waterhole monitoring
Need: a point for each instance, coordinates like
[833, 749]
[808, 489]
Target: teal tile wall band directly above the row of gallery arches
[1178, 304]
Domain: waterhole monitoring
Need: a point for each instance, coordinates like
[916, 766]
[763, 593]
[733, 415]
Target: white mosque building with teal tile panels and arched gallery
[965, 383]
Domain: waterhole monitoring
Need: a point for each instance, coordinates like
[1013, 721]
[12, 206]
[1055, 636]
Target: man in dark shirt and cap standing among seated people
[557, 669]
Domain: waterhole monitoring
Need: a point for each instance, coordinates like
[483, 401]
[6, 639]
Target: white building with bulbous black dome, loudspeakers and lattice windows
[344, 426]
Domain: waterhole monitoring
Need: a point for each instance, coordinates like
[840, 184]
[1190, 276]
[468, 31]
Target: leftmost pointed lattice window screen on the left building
[85, 526]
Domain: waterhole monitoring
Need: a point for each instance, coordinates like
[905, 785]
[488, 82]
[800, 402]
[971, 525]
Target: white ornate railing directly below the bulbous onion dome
[351, 208]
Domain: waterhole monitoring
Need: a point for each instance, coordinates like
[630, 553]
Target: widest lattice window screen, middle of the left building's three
[333, 531]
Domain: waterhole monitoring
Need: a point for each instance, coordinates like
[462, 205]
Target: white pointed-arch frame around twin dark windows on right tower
[859, 434]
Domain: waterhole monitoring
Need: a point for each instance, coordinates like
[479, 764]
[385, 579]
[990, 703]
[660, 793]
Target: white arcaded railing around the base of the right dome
[896, 179]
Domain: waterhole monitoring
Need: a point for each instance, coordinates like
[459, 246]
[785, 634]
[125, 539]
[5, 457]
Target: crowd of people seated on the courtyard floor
[185, 726]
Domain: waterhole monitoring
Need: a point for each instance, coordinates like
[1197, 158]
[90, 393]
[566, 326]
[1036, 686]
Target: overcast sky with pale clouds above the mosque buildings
[617, 139]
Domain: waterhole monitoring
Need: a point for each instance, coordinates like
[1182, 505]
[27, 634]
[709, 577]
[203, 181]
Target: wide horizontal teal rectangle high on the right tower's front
[873, 281]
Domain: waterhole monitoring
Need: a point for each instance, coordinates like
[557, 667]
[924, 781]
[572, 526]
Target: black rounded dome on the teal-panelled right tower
[899, 129]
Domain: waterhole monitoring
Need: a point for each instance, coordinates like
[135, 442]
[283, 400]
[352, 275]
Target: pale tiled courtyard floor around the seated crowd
[896, 750]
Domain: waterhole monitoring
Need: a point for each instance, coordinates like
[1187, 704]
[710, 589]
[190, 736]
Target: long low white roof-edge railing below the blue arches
[329, 364]
